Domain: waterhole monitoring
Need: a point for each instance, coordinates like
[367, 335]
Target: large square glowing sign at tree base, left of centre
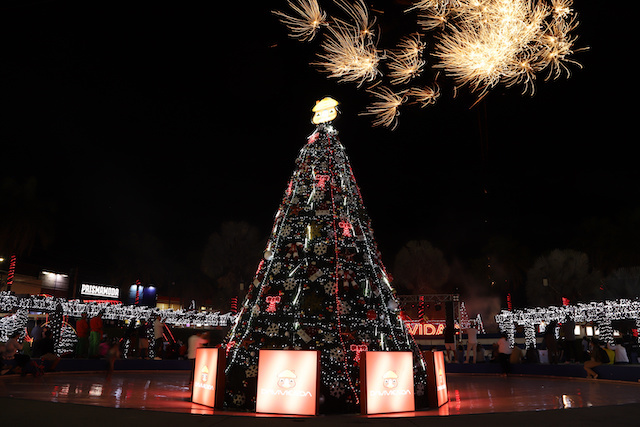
[288, 382]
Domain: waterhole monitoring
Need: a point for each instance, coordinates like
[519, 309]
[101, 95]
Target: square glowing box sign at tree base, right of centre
[386, 379]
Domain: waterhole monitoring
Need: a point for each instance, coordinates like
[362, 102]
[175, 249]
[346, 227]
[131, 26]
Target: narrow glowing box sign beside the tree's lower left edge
[208, 377]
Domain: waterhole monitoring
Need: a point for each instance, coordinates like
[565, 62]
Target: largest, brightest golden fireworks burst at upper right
[489, 42]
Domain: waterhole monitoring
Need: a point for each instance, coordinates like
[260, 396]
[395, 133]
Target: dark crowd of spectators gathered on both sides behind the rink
[33, 351]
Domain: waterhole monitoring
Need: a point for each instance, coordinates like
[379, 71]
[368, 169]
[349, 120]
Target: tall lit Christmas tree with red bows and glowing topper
[321, 284]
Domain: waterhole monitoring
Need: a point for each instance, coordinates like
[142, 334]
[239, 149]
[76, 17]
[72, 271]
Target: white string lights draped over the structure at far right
[599, 313]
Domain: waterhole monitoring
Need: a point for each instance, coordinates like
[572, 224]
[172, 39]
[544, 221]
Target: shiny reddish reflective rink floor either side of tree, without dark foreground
[170, 391]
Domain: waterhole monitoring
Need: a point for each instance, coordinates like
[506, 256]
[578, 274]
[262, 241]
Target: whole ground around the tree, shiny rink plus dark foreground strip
[162, 398]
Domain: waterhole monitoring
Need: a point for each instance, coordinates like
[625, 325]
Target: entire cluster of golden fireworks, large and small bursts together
[479, 44]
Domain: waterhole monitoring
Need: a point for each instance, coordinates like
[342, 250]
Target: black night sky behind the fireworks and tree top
[158, 122]
